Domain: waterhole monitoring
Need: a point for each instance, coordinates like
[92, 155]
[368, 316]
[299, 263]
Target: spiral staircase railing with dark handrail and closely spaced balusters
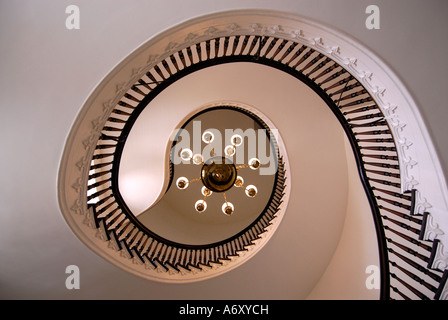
[405, 258]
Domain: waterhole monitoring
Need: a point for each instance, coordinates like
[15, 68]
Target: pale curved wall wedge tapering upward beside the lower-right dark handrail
[344, 280]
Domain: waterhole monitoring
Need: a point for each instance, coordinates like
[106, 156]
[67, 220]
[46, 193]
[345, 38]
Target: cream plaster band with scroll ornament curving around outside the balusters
[399, 109]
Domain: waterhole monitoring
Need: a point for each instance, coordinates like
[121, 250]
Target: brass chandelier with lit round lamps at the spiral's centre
[218, 173]
